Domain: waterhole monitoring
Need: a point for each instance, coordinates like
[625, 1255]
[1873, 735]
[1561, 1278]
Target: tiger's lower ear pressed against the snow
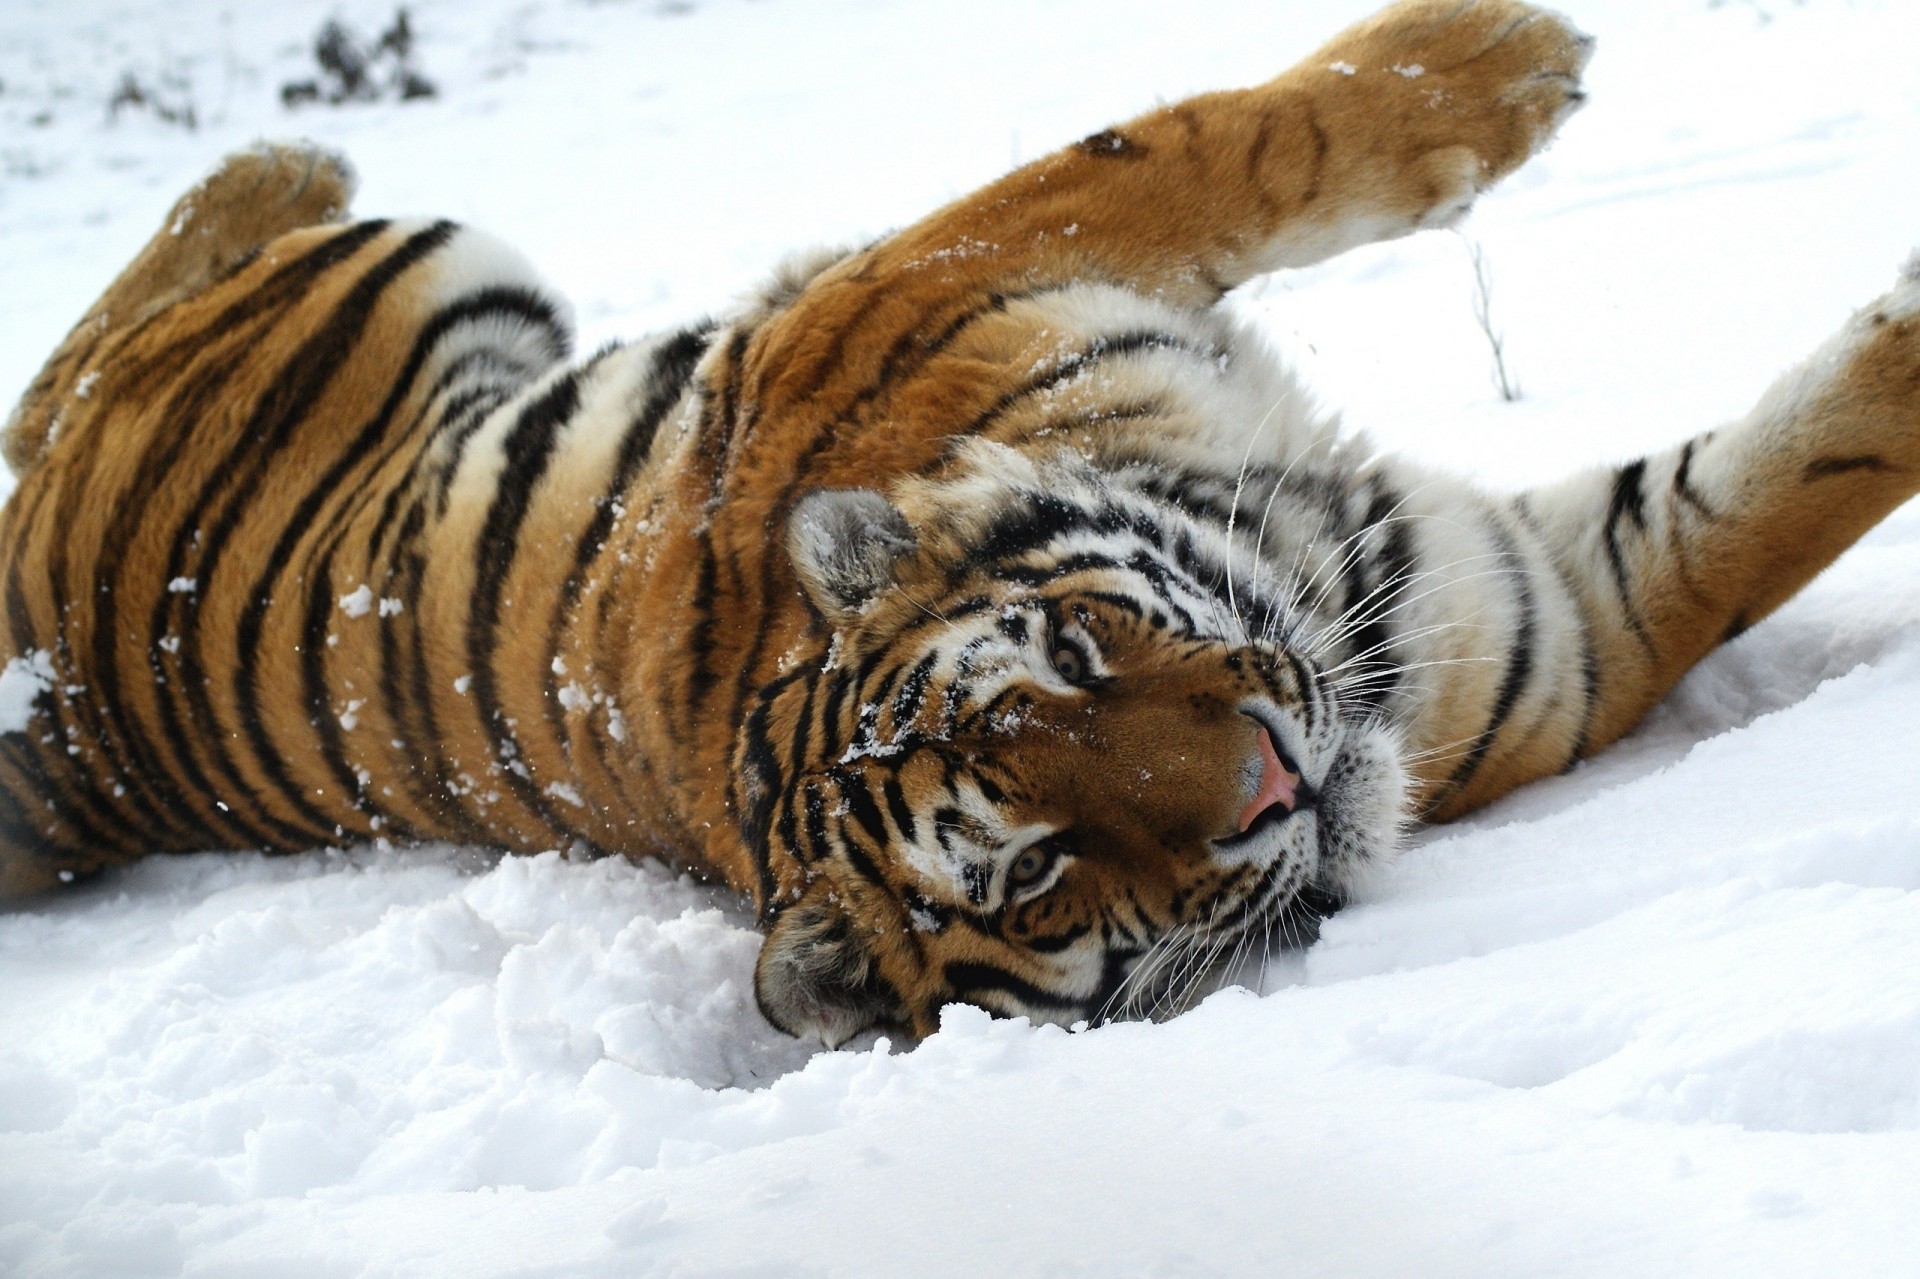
[817, 975]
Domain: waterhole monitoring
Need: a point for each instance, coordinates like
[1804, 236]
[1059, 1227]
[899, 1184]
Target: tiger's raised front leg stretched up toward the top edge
[1393, 126]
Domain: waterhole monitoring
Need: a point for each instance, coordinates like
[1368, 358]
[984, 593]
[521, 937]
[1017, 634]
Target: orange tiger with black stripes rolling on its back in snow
[986, 604]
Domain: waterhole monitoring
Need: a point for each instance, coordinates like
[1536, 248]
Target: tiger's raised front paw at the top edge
[1456, 93]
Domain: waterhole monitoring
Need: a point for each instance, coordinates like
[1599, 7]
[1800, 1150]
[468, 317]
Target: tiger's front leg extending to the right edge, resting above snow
[1675, 554]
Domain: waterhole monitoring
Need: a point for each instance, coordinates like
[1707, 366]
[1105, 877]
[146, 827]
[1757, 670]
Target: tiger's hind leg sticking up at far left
[210, 231]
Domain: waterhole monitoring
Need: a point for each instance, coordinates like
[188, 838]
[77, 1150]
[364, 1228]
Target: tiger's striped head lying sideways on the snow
[1049, 763]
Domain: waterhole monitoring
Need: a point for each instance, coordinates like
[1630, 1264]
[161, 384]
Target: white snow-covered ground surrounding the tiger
[1660, 1017]
